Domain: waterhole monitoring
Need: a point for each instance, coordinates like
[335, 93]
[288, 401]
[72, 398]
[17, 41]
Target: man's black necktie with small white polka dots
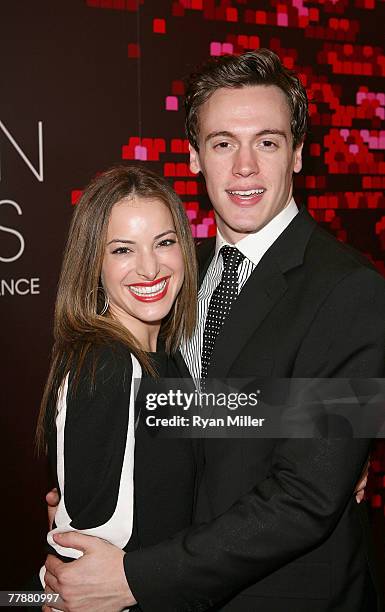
[221, 302]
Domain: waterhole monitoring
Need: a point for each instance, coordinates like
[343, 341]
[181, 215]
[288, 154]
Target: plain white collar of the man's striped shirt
[254, 246]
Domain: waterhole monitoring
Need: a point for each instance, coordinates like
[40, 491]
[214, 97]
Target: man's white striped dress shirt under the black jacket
[253, 246]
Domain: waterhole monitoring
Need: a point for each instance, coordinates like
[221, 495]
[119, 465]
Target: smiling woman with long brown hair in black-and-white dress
[128, 281]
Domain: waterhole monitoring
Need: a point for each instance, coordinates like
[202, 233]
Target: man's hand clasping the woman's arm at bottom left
[94, 582]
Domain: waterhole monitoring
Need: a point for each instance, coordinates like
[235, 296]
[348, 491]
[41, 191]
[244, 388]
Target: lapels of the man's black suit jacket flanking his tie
[265, 287]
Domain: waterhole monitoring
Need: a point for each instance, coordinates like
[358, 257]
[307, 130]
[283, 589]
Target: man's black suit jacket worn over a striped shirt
[278, 526]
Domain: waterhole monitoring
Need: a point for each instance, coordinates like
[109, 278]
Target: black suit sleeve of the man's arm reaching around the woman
[310, 483]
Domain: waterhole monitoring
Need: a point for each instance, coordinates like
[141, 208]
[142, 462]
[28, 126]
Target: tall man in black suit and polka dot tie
[277, 528]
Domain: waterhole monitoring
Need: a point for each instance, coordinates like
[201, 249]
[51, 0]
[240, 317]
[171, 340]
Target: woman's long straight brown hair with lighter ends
[77, 325]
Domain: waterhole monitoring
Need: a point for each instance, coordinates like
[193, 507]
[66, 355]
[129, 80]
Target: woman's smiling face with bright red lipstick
[143, 268]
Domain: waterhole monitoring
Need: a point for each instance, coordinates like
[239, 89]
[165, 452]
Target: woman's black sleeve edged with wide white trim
[95, 449]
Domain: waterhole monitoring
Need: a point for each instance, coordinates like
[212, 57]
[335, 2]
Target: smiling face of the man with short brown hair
[246, 156]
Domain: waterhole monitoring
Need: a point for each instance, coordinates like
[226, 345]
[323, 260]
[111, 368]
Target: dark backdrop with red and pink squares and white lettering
[86, 84]
